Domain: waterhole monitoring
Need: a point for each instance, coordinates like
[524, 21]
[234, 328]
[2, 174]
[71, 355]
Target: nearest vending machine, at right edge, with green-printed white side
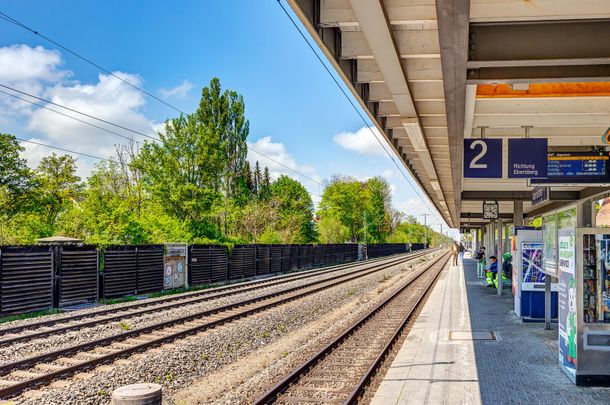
[584, 304]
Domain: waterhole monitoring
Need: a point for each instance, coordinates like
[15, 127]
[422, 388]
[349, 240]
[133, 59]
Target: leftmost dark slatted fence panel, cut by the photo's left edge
[26, 279]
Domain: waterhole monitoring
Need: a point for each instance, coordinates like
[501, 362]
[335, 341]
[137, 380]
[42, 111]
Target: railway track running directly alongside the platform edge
[340, 372]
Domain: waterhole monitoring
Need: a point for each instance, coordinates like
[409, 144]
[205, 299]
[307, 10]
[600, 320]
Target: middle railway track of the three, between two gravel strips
[43, 368]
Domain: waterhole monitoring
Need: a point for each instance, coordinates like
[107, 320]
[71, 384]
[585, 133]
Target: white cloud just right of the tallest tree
[281, 158]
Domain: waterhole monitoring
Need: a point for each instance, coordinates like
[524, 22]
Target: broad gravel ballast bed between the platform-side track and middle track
[185, 362]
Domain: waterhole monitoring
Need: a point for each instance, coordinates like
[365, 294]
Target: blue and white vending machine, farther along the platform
[528, 278]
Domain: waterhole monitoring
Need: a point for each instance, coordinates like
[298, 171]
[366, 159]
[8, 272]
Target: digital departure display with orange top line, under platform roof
[576, 167]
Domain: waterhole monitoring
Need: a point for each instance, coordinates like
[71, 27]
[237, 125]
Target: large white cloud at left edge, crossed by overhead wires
[37, 71]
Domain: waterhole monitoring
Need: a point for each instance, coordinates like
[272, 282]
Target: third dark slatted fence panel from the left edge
[120, 271]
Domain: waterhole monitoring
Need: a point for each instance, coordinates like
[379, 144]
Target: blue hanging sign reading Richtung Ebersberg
[527, 158]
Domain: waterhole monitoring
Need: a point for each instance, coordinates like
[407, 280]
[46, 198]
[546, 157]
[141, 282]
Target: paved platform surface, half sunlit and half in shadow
[448, 357]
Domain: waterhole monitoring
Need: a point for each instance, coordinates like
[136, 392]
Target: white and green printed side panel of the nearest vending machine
[567, 302]
